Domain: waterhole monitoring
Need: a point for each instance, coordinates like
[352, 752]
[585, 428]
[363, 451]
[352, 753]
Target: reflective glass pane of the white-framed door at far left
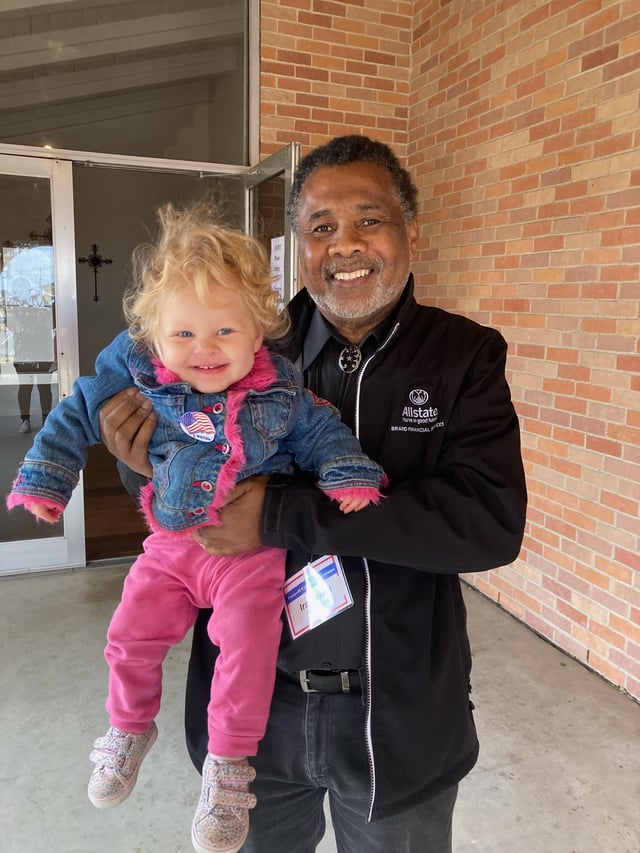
[28, 370]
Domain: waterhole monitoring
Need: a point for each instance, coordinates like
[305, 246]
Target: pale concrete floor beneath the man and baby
[559, 769]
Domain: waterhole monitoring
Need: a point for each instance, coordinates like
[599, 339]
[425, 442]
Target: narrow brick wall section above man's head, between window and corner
[329, 68]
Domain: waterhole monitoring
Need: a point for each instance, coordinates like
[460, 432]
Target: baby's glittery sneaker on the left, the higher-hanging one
[117, 756]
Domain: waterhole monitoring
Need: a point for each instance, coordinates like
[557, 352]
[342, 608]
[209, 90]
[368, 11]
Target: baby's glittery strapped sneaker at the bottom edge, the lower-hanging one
[221, 822]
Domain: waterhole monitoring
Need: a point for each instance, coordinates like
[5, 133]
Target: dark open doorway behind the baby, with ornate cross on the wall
[115, 211]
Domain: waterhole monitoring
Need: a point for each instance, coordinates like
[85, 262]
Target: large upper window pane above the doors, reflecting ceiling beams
[163, 78]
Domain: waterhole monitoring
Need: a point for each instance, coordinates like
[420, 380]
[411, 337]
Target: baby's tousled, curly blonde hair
[194, 247]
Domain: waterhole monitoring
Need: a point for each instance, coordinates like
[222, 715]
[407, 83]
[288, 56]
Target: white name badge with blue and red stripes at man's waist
[315, 594]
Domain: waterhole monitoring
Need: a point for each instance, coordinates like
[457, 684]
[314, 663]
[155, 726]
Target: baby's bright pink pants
[163, 592]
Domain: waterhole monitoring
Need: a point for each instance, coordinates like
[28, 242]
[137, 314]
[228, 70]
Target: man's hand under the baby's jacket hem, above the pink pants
[240, 521]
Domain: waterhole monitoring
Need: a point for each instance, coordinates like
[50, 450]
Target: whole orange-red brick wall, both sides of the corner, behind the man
[521, 123]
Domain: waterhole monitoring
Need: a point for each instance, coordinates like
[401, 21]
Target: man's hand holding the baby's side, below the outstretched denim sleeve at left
[127, 422]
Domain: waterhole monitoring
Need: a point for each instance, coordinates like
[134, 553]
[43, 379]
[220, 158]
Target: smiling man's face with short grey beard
[355, 247]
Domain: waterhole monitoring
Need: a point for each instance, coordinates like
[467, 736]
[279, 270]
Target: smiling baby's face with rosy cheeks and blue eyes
[209, 346]
